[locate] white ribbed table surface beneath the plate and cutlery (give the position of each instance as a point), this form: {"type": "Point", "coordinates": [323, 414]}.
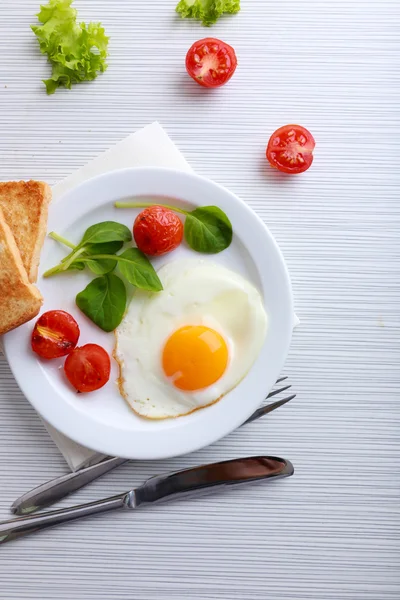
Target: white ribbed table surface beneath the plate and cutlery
{"type": "Point", "coordinates": [331, 532]}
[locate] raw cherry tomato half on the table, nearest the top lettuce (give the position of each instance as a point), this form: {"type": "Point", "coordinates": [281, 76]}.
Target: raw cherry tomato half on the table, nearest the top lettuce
{"type": "Point", "coordinates": [211, 62]}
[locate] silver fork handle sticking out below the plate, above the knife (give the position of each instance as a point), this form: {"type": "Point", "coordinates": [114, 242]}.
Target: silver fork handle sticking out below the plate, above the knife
{"type": "Point", "coordinates": [60, 487]}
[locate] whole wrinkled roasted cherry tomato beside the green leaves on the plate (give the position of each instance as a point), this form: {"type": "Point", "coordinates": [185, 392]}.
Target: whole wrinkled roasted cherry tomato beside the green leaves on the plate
{"type": "Point", "coordinates": [157, 230]}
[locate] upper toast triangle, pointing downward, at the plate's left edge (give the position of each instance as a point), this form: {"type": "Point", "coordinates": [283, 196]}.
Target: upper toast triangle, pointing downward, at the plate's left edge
{"type": "Point", "coordinates": [25, 208]}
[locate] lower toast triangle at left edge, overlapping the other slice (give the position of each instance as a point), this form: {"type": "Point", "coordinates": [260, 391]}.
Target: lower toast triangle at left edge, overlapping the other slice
{"type": "Point", "coordinates": [20, 301]}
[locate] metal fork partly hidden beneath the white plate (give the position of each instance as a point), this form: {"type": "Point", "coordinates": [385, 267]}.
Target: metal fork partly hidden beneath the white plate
{"type": "Point", "coordinates": [50, 492]}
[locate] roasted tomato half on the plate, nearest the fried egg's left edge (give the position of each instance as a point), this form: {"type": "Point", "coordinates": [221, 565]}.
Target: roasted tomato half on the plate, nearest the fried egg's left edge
{"type": "Point", "coordinates": [88, 368]}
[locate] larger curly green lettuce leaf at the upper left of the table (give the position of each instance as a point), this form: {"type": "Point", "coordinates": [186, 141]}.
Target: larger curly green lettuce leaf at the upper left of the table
{"type": "Point", "coordinates": [76, 51]}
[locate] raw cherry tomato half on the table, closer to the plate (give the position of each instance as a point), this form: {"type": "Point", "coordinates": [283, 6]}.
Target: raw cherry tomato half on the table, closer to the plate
{"type": "Point", "coordinates": [290, 149]}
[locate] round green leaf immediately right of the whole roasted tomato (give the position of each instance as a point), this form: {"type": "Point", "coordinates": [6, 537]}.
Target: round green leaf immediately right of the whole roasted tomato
{"type": "Point", "coordinates": [208, 230]}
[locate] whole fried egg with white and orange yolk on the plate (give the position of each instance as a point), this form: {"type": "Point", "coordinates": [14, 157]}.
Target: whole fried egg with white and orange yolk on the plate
{"type": "Point", "coordinates": [184, 348]}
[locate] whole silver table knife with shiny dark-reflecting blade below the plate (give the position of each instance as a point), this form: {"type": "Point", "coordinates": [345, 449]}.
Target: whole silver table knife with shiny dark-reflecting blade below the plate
{"type": "Point", "coordinates": [160, 488]}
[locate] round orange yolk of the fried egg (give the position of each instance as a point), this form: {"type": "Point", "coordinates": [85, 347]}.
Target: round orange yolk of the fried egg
{"type": "Point", "coordinates": [195, 357]}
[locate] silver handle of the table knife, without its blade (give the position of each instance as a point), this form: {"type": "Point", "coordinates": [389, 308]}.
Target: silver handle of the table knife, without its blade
{"type": "Point", "coordinates": [10, 530]}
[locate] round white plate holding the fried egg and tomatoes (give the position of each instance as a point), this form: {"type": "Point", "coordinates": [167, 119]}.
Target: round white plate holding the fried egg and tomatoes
{"type": "Point", "coordinates": [102, 420]}
